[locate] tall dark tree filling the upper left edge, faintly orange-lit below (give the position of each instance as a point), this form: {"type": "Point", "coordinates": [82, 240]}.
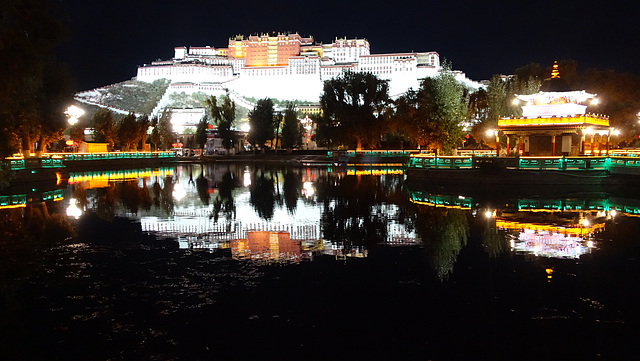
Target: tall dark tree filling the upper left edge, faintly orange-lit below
{"type": "Point", "coordinates": [35, 89]}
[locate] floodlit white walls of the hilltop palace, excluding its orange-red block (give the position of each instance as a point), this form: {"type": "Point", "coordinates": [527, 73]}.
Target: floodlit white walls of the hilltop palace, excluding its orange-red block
{"type": "Point", "coordinates": [301, 79]}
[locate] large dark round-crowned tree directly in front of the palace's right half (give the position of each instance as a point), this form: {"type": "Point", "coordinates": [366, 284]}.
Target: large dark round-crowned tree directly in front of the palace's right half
{"type": "Point", "coordinates": [353, 107]}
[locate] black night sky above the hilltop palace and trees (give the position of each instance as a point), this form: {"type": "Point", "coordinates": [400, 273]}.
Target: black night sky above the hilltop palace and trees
{"type": "Point", "coordinates": [109, 39]}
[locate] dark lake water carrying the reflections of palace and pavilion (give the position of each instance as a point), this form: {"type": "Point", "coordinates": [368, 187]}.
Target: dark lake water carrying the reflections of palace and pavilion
{"type": "Point", "coordinates": [235, 262]}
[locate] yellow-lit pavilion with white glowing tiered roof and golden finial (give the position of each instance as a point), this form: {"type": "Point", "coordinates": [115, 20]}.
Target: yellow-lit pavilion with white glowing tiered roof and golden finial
{"type": "Point", "coordinates": [555, 122]}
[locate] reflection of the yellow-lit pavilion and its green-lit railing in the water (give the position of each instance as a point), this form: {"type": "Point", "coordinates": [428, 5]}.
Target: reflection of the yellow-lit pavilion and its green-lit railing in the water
{"type": "Point", "coordinates": [554, 227]}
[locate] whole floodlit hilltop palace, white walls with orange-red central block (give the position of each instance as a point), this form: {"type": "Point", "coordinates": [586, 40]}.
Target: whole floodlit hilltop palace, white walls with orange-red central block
{"type": "Point", "coordinates": [288, 66]}
